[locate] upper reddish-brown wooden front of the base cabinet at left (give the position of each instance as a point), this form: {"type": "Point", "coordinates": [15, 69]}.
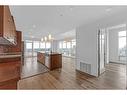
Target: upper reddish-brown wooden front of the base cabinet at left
{"type": "Point", "coordinates": [9, 71]}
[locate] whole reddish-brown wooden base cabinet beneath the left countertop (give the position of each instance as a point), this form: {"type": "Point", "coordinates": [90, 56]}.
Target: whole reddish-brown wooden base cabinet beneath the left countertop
{"type": "Point", "coordinates": [9, 75]}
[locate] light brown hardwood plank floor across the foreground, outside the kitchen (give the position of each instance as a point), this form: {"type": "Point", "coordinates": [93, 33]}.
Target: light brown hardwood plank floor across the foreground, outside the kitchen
{"type": "Point", "coordinates": [67, 78]}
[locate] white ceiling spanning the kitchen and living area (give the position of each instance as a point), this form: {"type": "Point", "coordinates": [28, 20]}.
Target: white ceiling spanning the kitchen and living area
{"type": "Point", "coordinates": [39, 21]}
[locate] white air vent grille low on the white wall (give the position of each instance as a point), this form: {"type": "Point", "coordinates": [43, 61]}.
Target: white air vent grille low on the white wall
{"type": "Point", "coordinates": [85, 67]}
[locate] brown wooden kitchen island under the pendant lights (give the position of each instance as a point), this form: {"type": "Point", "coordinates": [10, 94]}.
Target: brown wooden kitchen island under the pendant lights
{"type": "Point", "coordinates": [51, 60]}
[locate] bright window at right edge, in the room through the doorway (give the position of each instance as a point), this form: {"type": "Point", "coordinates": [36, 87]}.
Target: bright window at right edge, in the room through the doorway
{"type": "Point", "coordinates": [122, 45]}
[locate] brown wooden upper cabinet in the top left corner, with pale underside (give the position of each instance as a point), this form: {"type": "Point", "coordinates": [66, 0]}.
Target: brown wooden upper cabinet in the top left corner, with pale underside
{"type": "Point", "coordinates": [7, 27]}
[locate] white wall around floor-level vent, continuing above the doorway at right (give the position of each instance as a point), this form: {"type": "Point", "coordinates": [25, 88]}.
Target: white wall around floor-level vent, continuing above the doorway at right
{"type": "Point", "coordinates": [86, 37]}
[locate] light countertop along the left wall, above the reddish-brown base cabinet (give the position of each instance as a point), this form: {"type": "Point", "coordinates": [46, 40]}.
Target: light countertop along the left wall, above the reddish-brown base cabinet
{"type": "Point", "coordinates": [10, 55]}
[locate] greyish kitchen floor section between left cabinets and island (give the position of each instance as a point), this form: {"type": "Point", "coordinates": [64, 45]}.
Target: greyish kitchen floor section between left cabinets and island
{"type": "Point", "coordinates": [31, 67]}
